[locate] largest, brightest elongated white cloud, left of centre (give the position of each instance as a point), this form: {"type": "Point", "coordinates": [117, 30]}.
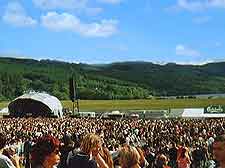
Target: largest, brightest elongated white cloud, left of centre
{"type": "Point", "coordinates": [68, 22]}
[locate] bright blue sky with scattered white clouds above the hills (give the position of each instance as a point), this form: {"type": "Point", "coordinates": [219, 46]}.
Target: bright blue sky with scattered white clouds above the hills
{"type": "Point", "coordinates": [105, 31]}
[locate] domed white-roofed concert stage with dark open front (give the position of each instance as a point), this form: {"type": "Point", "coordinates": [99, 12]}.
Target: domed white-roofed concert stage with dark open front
{"type": "Point", "coordinates": [35, 104]}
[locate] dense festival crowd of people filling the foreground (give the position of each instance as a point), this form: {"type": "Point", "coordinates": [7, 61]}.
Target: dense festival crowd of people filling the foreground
{"type": "Point", "coordinates": [82, 142]}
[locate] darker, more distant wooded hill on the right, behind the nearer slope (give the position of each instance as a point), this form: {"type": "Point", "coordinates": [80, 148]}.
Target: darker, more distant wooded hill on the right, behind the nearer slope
{"type": "Point", "coordinates": [171, 79]}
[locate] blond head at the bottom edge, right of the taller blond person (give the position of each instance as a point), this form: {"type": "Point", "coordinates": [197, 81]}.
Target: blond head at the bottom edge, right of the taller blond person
{"type": "Point", "coordinates": [129, 157]}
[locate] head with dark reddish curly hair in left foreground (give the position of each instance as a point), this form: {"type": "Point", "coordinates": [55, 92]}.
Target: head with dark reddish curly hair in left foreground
{"type": "Point", "coordinates": [46, 150]}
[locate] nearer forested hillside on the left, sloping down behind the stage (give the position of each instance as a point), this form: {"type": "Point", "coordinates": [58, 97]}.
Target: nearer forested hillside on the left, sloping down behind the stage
{"type": "Point", "coordinates": [20, 75]}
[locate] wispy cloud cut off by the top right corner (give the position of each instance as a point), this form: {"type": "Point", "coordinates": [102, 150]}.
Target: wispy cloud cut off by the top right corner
{"type": "Point", "coordinates": [198, 5]}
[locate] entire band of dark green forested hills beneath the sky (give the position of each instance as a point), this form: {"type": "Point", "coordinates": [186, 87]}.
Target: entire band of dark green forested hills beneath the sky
{"type": "Point", "coordinates": [127, 80]}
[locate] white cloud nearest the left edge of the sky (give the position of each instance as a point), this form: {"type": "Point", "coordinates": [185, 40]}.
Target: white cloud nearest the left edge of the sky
{"type": "Point", "coordinates": [16, 15]}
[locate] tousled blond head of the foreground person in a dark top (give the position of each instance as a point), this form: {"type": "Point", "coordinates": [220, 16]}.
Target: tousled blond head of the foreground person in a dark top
{"type": "Point", "coordinates": [91, 144]}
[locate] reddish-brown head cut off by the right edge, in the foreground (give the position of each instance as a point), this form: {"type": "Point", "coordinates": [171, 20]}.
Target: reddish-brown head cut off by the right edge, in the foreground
{"type": "Point", "coordinates": [219, 148]}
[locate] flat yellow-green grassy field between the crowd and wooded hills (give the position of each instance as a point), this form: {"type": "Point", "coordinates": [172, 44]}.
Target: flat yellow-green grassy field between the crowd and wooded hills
{"type": "Point", "coordinates": [107, 105]}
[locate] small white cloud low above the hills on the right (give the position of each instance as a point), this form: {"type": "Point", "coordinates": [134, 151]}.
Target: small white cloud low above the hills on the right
{"type": "Point", "coordinates": [186, 51]}
